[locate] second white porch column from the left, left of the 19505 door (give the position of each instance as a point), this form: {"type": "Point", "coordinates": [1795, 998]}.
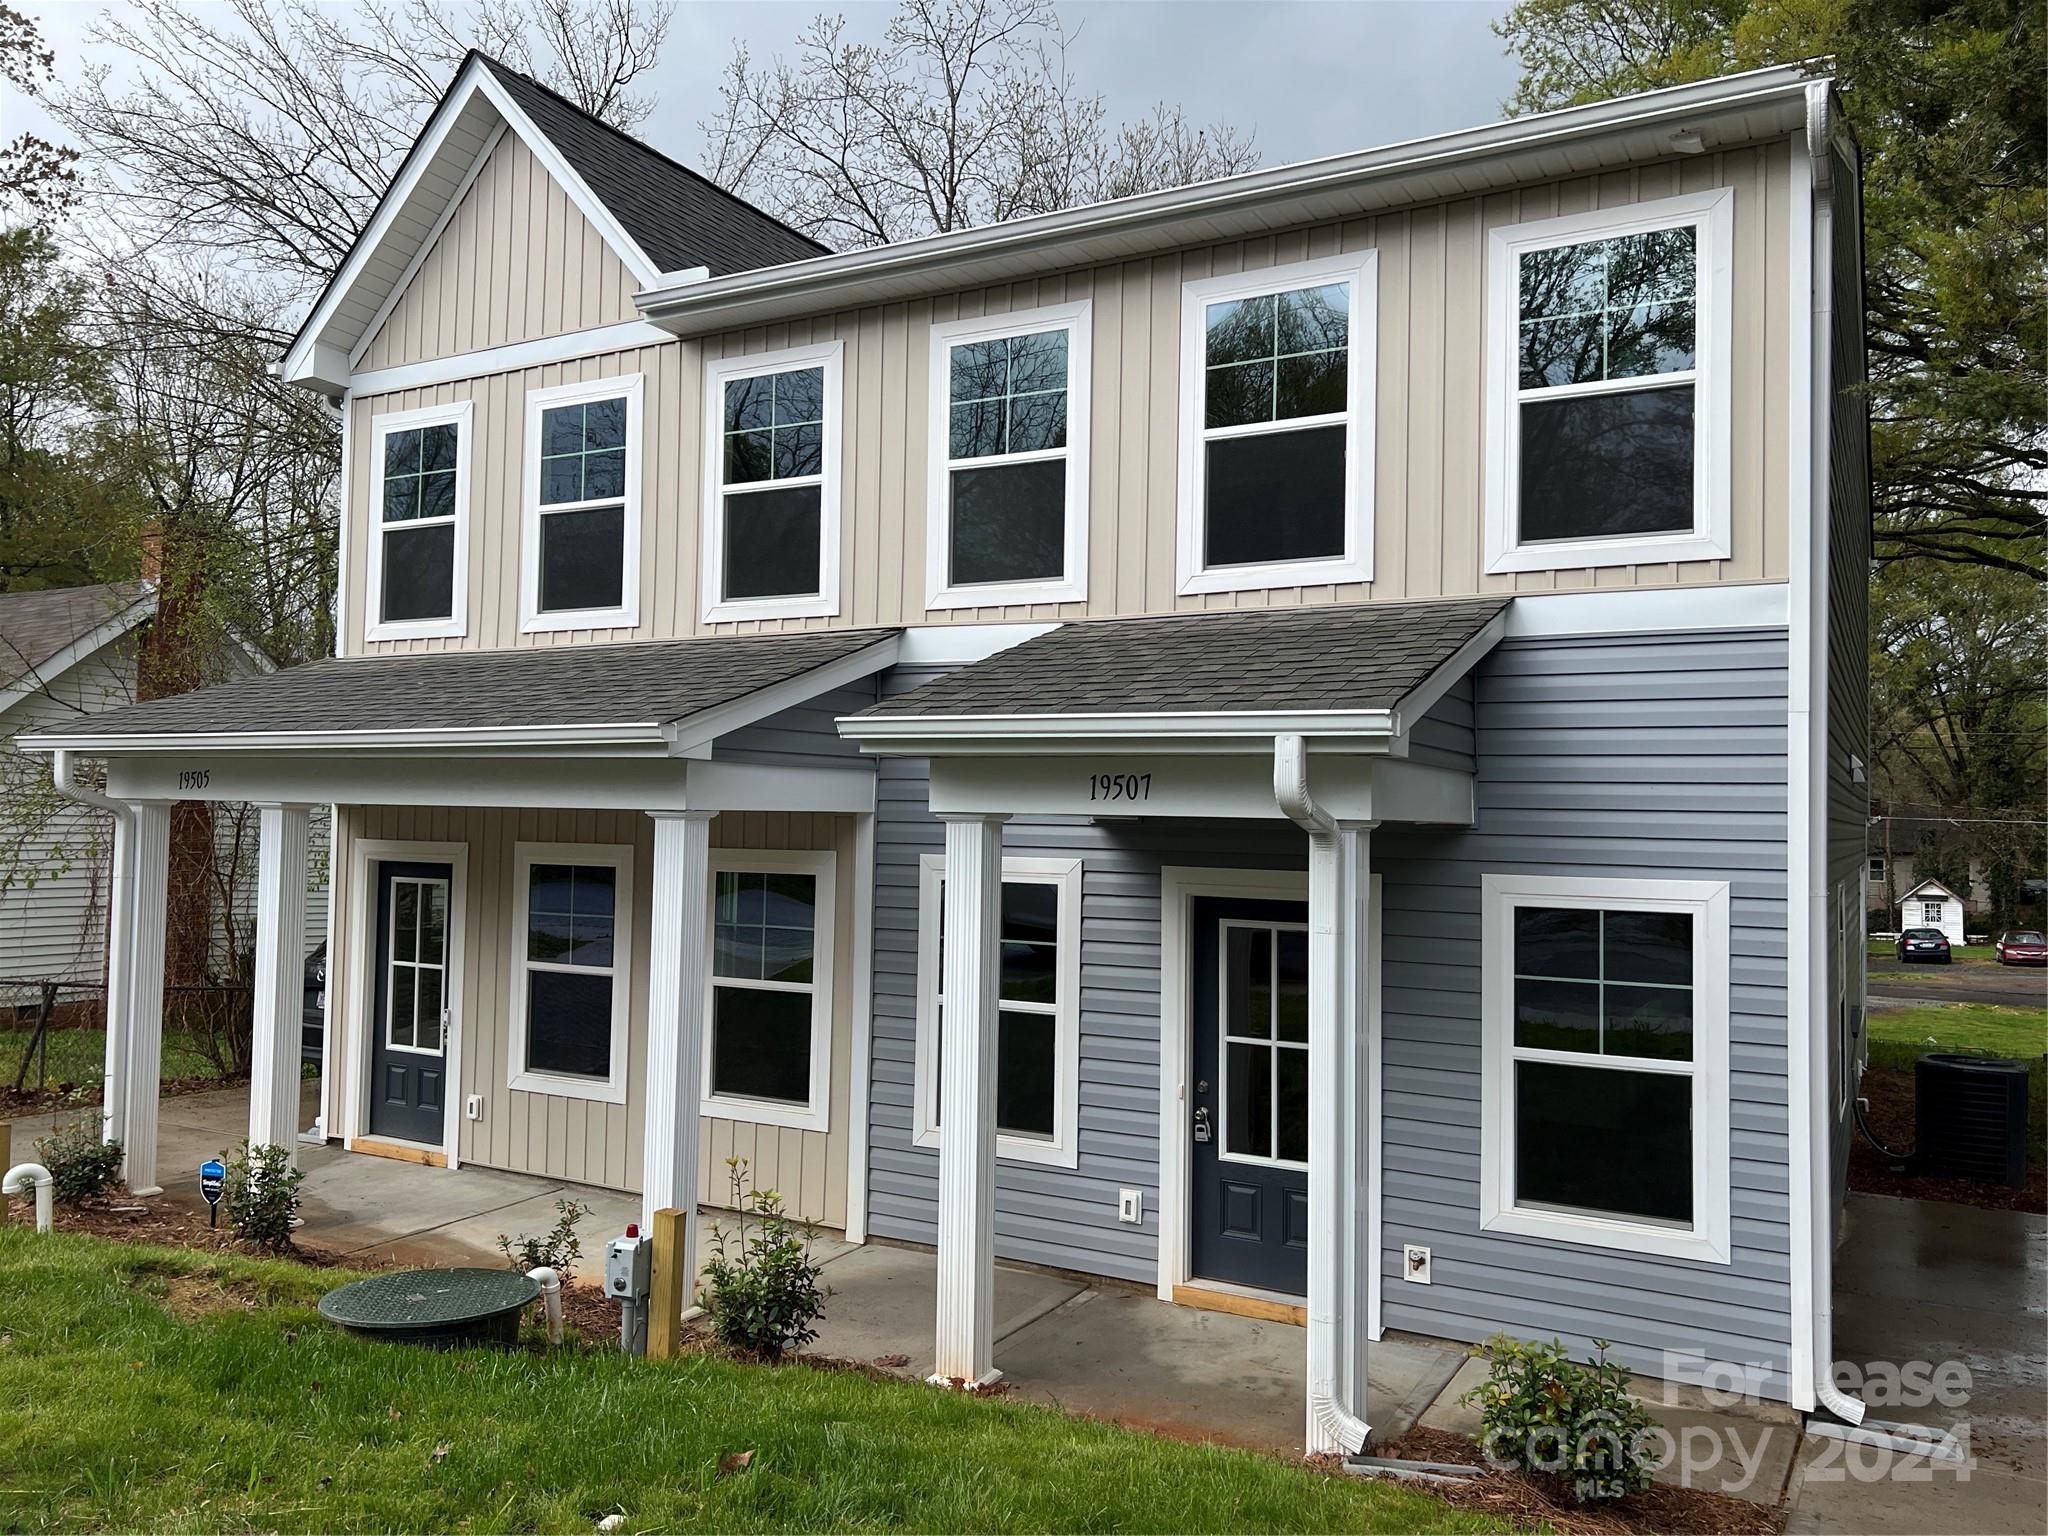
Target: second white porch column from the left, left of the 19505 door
{"type": "Point", "coordinates": [280, 976]}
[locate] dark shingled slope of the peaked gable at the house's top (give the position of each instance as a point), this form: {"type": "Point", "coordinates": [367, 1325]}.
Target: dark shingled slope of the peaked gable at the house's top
{"type": "Point", "coordinates": [679, 218]}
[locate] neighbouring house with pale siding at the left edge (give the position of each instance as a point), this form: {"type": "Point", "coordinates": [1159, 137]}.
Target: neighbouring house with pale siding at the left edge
{"type": "Point", "coordinates": [71, 654]}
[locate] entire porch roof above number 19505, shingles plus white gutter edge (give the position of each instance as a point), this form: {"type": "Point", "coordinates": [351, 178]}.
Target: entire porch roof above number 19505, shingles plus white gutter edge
{"type": "Point", "coordinates": [669, 697]}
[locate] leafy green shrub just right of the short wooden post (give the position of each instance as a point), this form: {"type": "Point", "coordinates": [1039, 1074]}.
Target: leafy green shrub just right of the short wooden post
{"type": "Point", "coordinates": [763, 1289]}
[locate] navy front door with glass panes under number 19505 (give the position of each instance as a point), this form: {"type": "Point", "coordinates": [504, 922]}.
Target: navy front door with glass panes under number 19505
{"type": "Point", "coordinates": [411, 1021]}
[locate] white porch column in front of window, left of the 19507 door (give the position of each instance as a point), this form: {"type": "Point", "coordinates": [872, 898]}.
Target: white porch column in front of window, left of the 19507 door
{"type": "Point", "coordinates": [968, 1101]}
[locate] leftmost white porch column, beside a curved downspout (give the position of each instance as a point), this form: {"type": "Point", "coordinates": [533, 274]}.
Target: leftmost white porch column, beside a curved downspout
{"type": "Point", "coordinates": [136, 914]}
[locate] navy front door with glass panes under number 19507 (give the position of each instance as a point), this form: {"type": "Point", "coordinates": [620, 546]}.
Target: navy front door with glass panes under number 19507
{"type": "Point", "coordinates": [1250, 1105]}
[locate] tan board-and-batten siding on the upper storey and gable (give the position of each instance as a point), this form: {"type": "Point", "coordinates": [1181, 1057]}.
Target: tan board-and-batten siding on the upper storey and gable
{"type": "Point", "coordinates": [1428, 454]}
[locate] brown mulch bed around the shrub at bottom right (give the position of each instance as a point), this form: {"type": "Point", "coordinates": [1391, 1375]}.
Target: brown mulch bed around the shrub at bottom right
{"type": "Point", "coordinates": [1541, 1498]}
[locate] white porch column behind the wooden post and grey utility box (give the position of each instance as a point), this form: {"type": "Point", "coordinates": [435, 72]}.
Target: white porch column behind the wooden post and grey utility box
{"type": "Point", "coordinates": [679, 986]}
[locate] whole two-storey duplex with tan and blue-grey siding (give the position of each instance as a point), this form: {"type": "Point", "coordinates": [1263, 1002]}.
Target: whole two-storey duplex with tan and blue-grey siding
{"type": "Point", "coordinates": [1209, 740]}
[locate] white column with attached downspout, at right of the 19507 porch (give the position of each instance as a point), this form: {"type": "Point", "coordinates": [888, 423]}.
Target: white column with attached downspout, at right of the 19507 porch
{"type": "Point", "coordinates": [1336, 1338]}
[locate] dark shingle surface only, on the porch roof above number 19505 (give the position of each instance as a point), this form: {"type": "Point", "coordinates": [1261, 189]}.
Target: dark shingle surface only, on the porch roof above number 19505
{"type": "Point", "coordinates": [644, 683]}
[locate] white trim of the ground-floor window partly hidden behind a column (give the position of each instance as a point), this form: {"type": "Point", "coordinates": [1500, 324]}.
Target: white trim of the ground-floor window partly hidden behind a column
{"type": "Point", "coordinates": [1064, 1150]}
